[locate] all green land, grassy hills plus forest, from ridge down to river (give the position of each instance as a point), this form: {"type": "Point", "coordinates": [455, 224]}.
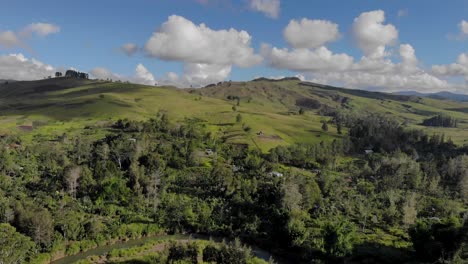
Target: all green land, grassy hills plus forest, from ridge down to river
{"type": "Point", "coordinates": [315, 180]}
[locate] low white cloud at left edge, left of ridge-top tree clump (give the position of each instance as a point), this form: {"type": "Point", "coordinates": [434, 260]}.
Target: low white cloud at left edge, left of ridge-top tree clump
{"type": "Point", "coordinates": [18, 67]}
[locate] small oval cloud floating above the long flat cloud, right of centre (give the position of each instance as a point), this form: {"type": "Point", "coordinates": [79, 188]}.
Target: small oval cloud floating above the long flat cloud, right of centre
{"type": "Point", "coordinates": [310, 33]}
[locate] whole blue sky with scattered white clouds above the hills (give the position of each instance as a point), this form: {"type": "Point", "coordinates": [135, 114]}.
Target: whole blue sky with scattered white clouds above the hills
{"type": "Point", "coordinates": [384, 45]}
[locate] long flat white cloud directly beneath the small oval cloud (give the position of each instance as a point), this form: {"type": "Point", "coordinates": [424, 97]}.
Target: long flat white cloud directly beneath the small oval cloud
{"type": "Point", "coordinates": [320, 59]}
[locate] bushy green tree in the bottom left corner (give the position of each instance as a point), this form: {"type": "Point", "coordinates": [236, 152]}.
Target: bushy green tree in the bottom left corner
{"type": "Point", "coordinates": [14, 247]}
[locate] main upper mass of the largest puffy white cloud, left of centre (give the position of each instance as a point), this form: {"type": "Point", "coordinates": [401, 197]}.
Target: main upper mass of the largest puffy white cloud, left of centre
{"type": "Point", "coordinates": [179, 39]}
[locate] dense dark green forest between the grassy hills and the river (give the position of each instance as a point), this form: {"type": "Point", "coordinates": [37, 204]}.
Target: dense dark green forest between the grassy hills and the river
{"type": "Point", "coordinates": [382, 193]}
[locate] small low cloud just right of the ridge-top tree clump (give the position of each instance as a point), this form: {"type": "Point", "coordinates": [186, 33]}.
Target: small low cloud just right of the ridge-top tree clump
{"type": "Point", "coordinates": [141, 76]}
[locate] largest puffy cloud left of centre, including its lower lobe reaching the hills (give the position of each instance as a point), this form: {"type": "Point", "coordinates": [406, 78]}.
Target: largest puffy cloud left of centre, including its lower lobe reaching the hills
{"type": "Point", "coordinates": [208, 55]}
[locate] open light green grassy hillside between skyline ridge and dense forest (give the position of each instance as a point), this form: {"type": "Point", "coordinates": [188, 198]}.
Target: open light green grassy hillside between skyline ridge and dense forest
{"type": "Point", "coordinates": [57, 106]}
